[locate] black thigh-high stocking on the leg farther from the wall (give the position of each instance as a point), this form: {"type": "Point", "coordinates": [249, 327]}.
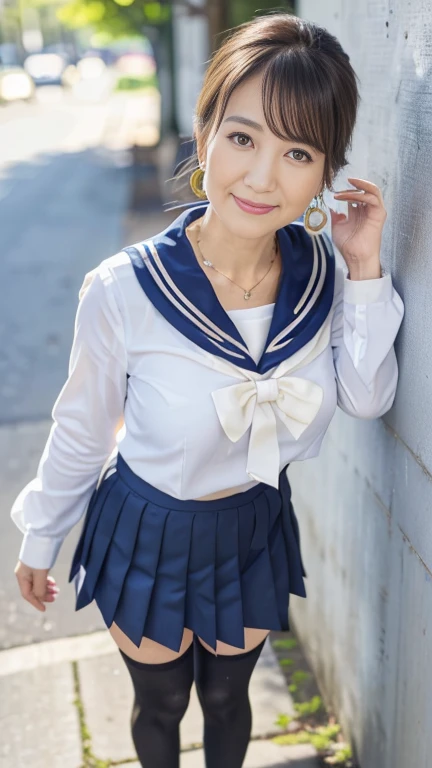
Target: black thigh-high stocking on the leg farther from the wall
{"type": "Point", "coordinates": [161, 698]}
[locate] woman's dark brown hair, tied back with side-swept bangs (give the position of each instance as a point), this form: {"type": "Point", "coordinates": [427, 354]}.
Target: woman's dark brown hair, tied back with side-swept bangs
{"type": "Point", "coordinates": [309, 90]}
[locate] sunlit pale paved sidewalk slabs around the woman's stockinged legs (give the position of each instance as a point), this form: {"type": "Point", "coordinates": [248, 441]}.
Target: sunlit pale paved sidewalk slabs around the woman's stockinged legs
{"type": "Point", "coordinates": [66, 704]}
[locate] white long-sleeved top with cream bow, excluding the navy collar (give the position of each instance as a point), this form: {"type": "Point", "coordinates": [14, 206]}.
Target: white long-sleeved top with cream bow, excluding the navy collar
{"type": "Point", "coordinates": [196, 424]}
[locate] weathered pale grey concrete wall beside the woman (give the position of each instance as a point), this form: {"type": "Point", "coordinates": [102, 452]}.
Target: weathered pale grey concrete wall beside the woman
{"type": "Point", "coordinates": [365, 505]}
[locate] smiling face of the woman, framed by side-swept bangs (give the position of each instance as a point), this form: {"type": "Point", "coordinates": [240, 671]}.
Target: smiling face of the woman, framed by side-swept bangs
{"type": "Point", "coordinates": [246, 160]}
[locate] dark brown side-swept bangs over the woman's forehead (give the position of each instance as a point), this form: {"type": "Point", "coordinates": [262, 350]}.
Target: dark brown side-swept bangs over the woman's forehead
{"type": "Point", "coordinates": [298, 101]}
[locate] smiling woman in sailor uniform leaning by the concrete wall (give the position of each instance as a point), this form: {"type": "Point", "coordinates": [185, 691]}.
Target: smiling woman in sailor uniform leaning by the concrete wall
{"type": "Point", "coordinates": [226, 341]}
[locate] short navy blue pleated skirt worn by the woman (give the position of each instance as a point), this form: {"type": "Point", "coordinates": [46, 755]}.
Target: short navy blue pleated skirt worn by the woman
{"type": "Point", "coordinates": [155, 564]}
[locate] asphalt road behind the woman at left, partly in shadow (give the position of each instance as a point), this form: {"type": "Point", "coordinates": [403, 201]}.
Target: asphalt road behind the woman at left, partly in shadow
{"type": "Point", "coordinates": [64, 192]}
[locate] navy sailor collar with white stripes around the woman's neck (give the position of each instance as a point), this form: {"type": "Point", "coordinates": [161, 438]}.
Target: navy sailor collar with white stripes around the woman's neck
{"type": "Point", "coordinates": [167, 270]}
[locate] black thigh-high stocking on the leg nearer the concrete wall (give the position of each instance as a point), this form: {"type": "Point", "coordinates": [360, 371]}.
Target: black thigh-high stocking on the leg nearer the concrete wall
{"type": "Point", "coordinates": [222, 684]}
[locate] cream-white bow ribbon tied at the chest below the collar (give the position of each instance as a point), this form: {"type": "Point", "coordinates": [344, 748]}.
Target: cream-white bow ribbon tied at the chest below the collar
{"type": "Point", "coordinates": [255, 403]}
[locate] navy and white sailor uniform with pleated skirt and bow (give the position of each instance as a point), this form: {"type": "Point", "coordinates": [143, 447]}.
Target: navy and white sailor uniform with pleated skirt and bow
{"type": "Point", "coordinates": [211, 400]}
